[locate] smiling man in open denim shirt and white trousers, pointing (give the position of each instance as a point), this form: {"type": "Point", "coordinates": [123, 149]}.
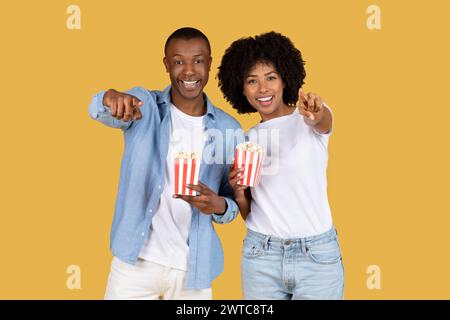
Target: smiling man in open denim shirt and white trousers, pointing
{"type": "Point", "coordinates": [165, 246]}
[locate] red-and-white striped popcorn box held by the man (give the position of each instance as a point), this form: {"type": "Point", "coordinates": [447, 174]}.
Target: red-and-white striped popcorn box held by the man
{"type": "Point", "coordinates": [187, 169]}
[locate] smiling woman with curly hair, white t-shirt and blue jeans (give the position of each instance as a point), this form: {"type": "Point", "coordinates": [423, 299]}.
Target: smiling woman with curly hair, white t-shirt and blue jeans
{"type": "Point", "coordinates": [291, 249]}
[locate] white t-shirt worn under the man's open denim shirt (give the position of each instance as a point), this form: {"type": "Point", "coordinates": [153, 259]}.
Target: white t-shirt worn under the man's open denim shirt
{"type": "Point", "coordinates": [167, 243]}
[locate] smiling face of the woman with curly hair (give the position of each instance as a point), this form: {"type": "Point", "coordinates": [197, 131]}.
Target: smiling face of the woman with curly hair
{"type": "Point", "coordinates": [263, 88]}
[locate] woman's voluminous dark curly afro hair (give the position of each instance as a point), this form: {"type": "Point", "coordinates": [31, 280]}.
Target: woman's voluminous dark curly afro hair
{"type": "Point", "coordinates": [243, 54]}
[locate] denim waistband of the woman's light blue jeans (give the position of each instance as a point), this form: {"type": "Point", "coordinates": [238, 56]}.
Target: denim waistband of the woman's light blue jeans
{"type": "Point", "coordinates": [275, 241]}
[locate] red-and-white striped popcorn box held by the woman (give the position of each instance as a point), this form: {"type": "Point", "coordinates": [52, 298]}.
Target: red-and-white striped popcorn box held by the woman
{"type": "Point", "coordinates": [249, 156]}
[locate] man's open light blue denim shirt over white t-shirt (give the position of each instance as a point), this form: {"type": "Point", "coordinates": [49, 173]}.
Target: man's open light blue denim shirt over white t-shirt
{"type": "Point", "coordinates": [142, 180]}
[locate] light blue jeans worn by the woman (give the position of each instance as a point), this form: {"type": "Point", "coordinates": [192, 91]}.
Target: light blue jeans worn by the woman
{"type": "Point", "coordinates": [291, 269]}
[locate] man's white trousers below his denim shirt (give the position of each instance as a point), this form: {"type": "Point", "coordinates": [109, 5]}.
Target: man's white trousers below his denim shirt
{"type": "Point", "coordinates": [149, 281]}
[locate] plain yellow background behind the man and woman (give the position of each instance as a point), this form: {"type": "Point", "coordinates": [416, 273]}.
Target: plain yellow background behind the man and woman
{"type": "Point", "coordinates": [388, 168]}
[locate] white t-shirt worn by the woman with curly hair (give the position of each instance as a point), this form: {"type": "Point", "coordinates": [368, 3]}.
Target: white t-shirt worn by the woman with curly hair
{"type": "Point", "coordinates": [291, 199]}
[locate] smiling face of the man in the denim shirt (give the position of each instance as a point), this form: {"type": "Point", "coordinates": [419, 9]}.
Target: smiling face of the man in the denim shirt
{"type": "Point", "coordinates": [188, 63]}
